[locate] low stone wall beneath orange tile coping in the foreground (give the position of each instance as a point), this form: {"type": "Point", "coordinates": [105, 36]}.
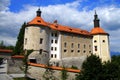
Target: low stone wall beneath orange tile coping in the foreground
{"type": "Point", "coordinates": [38, 73]}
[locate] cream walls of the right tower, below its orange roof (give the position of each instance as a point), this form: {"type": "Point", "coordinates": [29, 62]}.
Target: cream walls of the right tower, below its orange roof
{"type": "Point", "coordinates": [102, 43]}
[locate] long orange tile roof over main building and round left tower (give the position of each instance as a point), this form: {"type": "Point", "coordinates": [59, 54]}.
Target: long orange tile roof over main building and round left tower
{"type": "Point", "coordinates": [39, 21]}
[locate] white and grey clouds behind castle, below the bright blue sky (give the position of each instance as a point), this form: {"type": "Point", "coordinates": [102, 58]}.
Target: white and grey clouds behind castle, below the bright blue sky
{"type": "Point", "coordinates": [66, 14]}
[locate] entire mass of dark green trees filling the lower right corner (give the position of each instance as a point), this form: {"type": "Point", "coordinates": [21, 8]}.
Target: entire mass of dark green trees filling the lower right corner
{"type": "Point", "coordinates": [94, 69]}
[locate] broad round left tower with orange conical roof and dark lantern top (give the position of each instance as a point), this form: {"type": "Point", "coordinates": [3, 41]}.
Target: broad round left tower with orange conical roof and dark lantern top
{"type": "Point", "coordinates": [36, 37]}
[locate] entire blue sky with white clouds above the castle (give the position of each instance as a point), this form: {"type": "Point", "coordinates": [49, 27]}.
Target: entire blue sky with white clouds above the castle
{"type": "Point", "coordinates": [75, 13]}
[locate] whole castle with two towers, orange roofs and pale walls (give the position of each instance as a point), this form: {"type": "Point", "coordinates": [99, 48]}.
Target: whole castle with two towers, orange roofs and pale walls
{"type": "Point", "coordinates": [54, 42]}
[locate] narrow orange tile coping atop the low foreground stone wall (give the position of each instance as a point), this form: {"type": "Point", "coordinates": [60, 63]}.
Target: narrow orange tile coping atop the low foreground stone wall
{"type": "Point", "coordinates": [54, 67]}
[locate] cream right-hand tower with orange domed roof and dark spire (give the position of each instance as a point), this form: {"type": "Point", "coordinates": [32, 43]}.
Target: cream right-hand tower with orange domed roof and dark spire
{"type": "Point", "coordinates": [100, 41]}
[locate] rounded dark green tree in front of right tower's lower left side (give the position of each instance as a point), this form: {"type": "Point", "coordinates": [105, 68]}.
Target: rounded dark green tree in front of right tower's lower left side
{"type": "Point", "coordinates": [91, 69]}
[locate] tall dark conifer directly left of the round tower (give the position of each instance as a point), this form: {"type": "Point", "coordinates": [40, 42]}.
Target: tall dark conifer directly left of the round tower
{"type": "Point", "coordinates": [20, 41]}
